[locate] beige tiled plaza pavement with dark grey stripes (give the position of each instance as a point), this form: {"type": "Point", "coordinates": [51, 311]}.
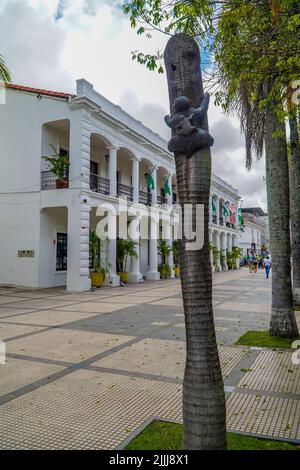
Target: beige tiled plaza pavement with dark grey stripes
{"type": "Point", "coordinates": [85, 370]}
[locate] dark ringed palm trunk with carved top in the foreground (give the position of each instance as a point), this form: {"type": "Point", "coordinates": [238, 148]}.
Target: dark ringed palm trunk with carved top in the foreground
{"type": "Point", "coordinates": [204, 415]}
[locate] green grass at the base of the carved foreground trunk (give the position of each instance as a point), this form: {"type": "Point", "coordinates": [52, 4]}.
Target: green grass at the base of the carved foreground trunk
{"type": "Point", "coordinates": [160, 435]}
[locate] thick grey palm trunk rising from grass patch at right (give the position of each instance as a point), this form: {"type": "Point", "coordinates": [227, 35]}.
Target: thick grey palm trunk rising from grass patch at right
{"type": "Point", "coordinates": [283, 321]}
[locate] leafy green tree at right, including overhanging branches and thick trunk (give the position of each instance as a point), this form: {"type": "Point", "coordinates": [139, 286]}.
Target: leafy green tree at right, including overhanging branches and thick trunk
{"type": "Point", "coordinates": [257, 58]}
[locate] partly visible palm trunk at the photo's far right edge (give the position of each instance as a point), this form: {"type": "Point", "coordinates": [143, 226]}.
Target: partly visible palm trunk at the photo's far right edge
{"type": "Point", "coordinates": [295, 205]}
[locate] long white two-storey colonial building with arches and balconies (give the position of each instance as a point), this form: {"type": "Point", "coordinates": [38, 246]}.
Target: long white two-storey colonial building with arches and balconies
{"type": "Point", "coordinates": [44, 236]}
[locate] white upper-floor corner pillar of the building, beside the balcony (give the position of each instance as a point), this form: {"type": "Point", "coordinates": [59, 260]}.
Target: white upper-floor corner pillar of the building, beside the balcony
{"type": "Point", "coordinates": [80, 135]}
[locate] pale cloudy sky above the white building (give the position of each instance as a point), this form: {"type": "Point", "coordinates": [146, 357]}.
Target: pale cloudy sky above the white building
{"type": "Point", "coordinates": [51, 43]}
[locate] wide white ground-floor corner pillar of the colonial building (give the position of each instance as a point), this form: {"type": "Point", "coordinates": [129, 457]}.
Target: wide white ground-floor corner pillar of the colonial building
{"type": "Point", "coordinates": [78, 279]}
